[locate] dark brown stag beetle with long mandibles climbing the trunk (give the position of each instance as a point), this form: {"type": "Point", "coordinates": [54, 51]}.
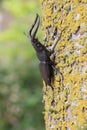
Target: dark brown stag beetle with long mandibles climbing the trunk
{"type": "Point", "coordinates": [46, 64]}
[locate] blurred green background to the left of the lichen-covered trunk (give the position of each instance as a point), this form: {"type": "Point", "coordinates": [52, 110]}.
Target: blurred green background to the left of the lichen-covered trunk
{"type": "Point", "coordinates": [21, 105]}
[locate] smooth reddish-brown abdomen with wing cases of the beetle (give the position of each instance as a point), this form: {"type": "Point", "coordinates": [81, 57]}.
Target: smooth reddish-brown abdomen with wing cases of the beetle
{"type": "Point", "coordinates": [46, 72]}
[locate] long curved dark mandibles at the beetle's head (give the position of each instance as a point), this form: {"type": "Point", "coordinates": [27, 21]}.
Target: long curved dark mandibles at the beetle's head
{"type": "Point", "coordinates": [32, 36]}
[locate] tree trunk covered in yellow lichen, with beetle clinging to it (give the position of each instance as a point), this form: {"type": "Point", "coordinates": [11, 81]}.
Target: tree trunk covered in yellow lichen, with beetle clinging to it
{"type": "Point", "coordinates": [65, 21]}
